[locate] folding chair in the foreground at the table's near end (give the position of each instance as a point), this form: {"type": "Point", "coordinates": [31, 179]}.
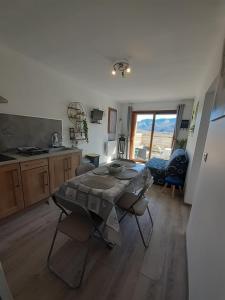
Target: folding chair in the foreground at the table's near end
{"type": "Point", "coordinates": [79, 226]}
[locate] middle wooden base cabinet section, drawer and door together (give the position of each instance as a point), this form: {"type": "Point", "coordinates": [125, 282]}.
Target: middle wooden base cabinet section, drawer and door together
{"type": "Point", "coordinates": [35, 179]}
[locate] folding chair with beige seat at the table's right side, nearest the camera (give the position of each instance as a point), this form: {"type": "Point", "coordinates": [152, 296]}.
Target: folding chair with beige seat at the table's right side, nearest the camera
{"type": "Point", "coordinates": [136, 204]}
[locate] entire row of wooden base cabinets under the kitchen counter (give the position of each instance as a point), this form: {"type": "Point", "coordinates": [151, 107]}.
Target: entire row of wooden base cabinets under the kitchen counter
{"type": "Point", "coordinates": [23, 184]}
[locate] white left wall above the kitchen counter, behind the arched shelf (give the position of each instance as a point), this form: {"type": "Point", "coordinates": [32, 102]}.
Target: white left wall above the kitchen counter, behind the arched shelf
{"type": "Point", "coordinates": [33, 89]}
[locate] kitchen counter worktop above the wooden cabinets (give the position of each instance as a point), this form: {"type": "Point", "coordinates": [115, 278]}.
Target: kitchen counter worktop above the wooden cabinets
{"type": "Point", "coordinates": [17, 158]}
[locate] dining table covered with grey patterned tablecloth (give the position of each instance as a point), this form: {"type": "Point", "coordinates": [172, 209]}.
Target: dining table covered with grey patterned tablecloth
{"type": "Point", "coordinates": [99, 190]}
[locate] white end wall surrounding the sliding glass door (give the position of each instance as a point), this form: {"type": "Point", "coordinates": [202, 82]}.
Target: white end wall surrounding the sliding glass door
{"type": "Point", "coordinates": [159, 105]}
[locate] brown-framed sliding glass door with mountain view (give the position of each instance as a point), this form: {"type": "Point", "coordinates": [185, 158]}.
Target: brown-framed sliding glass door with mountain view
{"type": "Point", "coordinates": [152, 135]}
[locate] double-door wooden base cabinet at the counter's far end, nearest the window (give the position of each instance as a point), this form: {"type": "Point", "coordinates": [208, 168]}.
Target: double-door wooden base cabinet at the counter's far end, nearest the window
{"type": "Point", "coordinates": [62, 168]}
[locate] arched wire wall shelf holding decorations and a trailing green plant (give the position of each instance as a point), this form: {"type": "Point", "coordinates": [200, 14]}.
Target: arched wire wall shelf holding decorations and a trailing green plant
{"type": "Point", "coordinates": [76, 114]}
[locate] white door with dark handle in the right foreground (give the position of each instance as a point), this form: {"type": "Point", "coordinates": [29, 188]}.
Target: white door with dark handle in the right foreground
{"type": "Point", "coordinates": [206, 229]}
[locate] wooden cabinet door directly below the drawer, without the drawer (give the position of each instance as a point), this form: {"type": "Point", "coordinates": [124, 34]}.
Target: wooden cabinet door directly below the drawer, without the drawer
{"type": "Point", "coordinates": [35, 185]}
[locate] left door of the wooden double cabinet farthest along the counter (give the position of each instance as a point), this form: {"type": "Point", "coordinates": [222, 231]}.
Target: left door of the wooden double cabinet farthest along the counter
{"type": "Point", "coordinates": [58, 168]}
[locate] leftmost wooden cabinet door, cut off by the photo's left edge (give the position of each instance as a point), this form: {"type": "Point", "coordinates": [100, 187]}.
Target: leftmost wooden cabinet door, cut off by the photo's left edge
{"type": "Point", "coordinates": [11, 199]}
